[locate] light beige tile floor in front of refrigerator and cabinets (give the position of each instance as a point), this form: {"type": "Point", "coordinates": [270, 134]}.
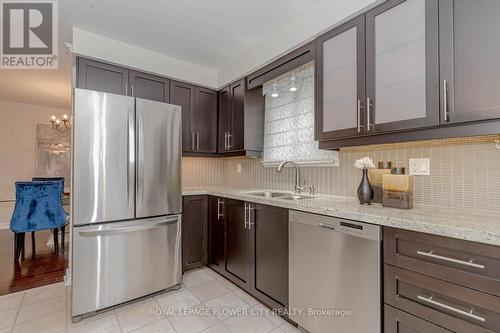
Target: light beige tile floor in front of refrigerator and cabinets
{"type": "Point", "coordinates": [208, 302]}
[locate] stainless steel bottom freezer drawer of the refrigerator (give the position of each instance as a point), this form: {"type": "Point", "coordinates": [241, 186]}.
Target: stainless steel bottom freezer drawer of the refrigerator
{"type": "Point", "coordinates": [117, 262]}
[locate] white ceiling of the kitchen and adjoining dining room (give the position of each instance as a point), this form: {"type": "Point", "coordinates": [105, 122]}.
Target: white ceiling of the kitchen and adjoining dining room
{"type": "Point", "coordinates": [206, 33]}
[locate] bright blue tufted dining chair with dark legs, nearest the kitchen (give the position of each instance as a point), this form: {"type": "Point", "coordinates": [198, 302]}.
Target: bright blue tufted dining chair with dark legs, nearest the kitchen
{"type": "Point", "coordinates": [38, 207]}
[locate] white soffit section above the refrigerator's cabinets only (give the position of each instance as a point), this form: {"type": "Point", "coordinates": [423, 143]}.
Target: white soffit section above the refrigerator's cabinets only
{"type": "Point", "coordinates": [96, 46]}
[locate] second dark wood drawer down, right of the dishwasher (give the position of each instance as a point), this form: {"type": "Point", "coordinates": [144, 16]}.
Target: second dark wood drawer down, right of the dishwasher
{"type": "Point", "coordinates": [454, 307]}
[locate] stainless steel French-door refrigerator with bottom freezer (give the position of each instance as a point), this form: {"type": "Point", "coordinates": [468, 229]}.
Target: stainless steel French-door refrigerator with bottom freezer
{"type": "Point", "coordinates": [126, 199]}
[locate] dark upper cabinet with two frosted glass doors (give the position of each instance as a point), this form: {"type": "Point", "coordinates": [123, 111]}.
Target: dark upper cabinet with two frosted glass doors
{"type": "Point", "coordinates": [379, 72]}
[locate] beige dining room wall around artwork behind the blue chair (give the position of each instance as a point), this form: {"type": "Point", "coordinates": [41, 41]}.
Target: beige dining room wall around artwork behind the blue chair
{"type": "Point", "coordinates": [18, 142]}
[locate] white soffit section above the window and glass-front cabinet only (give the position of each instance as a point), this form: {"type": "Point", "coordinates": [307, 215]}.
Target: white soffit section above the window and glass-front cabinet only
{"type": "Point", "coordinates": [297, 32]}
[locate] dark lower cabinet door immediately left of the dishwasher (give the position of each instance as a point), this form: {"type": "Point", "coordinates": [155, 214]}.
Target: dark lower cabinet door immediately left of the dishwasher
{"type": "Point", "coordinates": [269, 232]}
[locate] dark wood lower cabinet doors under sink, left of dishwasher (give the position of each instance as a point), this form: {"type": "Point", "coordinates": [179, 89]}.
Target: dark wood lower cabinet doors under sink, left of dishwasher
{"type": "Point", "coordinates": [248, 244]}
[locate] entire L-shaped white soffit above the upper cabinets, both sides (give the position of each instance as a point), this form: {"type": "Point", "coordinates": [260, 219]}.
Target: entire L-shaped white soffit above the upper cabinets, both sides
{"type": "Point", "coordinates": [297, 32]}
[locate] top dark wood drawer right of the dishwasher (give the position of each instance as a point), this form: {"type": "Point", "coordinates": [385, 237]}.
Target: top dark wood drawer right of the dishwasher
{"type": "Point", "coordinates": [469, 264]}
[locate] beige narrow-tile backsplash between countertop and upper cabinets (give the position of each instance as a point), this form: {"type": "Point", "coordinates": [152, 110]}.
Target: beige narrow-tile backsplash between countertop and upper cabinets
{"type": "Point", "coordinates": [465, 173]}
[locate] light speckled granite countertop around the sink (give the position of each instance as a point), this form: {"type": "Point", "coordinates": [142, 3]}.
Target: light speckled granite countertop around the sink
{"type": "Point", "coordinates": [479, 226]}
